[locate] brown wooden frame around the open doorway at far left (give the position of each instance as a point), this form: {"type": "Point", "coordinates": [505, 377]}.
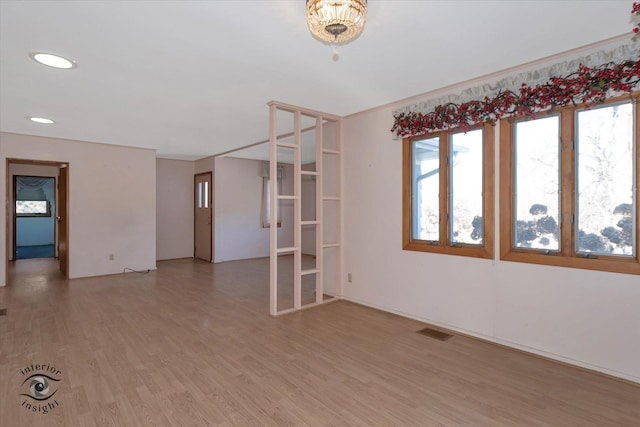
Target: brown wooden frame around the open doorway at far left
{"type": "Point", "coordinates": [10, 209]}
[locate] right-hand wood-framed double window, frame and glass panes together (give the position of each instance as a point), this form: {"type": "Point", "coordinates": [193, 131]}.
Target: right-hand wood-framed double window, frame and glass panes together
{"type": "Point", "coordinates": [568, 193]}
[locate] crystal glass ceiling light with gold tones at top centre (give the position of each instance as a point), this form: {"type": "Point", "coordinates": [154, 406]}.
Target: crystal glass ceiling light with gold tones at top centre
{"type": "Point", "coordinates": [334, 21]}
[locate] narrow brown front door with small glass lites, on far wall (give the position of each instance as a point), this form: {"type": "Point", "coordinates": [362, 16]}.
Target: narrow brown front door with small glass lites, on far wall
{"type": "Point", "coordinates": [203, 216]}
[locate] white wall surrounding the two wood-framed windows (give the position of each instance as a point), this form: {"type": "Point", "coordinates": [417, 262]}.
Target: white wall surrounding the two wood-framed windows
{"type": "Point", "coordinates": [587, 318]}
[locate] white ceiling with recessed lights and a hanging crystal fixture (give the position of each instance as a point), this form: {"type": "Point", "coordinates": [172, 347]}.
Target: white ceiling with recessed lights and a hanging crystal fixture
{"type": "Point", "coordinates": [192, 78]}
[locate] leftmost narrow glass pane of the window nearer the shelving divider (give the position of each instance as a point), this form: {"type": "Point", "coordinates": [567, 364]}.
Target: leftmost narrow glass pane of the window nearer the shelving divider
{"type": "Point", "coordinates": [426, 189]}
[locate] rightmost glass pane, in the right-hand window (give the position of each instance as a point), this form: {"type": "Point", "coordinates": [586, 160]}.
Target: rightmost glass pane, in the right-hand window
{"type": "Point", "coordinates": [605, 215]}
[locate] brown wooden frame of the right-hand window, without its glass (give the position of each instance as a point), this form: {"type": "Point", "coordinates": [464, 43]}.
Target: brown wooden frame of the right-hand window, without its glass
{"type": "Point", "coordinates": [567, 256]}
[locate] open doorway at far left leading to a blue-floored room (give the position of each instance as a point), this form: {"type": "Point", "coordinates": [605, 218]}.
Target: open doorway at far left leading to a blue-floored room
{"type": "Point", "coordinates": [33, 205]}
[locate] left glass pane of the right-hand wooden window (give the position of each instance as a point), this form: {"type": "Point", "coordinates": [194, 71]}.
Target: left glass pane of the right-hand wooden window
{"type": "Point", "coordinates": [536, 186]}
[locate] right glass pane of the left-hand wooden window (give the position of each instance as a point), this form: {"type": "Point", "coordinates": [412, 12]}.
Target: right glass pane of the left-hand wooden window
{"type": "Point", "coordinates": [466, 159]}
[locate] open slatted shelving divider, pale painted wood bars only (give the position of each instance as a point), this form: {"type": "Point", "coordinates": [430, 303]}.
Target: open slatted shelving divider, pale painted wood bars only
{"type": "Point", "coordinates": [321, 119]}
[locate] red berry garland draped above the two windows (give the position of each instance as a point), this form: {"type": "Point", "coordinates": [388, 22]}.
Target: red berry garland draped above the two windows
{"type": "Point", "coordinates": [587, 85]}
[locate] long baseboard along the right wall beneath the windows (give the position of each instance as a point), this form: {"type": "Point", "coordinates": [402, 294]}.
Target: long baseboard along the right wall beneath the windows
{"type": "Point", "coordinates": [594, 369]}
